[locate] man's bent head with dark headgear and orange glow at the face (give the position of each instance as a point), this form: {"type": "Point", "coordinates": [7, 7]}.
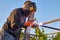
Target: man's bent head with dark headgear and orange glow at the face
{"type": "Point", "coordinates": [30, 6]}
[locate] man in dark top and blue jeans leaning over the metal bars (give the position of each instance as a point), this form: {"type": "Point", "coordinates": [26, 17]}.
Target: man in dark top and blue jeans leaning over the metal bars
{"type": "Point", "coordinates": [16, 20]}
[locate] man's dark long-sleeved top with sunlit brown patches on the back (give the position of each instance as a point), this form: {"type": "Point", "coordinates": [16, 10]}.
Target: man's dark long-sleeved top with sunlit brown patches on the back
{"type": "Point", "coordinates": [15, 21]}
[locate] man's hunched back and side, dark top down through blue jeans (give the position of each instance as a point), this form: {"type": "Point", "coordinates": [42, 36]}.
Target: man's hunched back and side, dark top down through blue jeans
{"type": "Point", "coordinates": [13, 24]}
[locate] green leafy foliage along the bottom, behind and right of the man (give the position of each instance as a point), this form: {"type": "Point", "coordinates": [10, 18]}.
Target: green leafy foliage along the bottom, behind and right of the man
{"type": "Point", "coordinates": [39, 35]}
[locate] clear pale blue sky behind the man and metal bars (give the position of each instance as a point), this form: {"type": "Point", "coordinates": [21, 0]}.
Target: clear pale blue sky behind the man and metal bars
{"type": "Point", "coordinates": [46, 10]}
